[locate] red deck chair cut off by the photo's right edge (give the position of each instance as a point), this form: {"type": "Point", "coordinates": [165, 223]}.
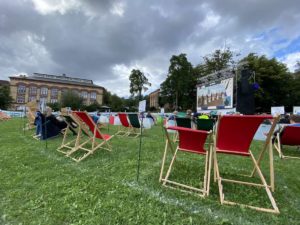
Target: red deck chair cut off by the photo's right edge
{"type": "Point", "coordinates": [289, 135]}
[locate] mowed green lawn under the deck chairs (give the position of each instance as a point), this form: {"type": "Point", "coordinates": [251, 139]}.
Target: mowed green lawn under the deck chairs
{"type": "Point", "coordinates": [39, 185]}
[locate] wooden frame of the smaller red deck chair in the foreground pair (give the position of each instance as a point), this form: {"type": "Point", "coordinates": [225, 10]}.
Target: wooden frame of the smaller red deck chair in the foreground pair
{"type": "Point", "coordinates": [204, 191]}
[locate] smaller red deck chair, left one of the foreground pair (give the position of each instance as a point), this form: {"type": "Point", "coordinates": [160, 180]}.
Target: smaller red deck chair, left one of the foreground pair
{"type": "Point", "coordinates": [190, 141]}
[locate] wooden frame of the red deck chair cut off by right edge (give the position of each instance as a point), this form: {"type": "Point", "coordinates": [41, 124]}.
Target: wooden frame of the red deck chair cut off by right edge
{"type": "Point", "coordinates": [278, 142]}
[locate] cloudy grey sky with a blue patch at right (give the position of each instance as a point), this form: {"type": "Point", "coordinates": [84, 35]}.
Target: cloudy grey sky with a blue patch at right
{"type": "Point", "coordinates": [104, 40]}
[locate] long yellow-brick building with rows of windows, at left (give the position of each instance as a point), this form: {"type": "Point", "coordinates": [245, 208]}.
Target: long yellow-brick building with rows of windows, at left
{"type": "Point", "coordinates": [49, 88]}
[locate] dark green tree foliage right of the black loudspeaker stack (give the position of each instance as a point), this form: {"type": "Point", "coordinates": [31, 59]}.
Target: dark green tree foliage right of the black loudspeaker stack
{"type": "Point", "coordinates": [276, 83]}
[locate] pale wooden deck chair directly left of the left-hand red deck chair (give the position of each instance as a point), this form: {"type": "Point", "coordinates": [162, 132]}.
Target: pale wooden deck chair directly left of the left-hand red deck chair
{"type": "Point", "coordinates": [74, 127]}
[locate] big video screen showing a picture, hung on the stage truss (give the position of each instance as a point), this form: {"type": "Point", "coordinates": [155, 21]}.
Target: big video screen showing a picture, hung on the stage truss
{"type": "Point", "coordinates": [216, 95]}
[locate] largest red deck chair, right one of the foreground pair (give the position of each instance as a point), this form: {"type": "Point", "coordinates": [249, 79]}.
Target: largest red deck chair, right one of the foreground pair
{"type": "Point", "coordinates": [234, 135]}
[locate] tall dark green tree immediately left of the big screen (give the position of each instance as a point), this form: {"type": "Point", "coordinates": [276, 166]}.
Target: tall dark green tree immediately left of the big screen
{"type": "Point", "coordinates": [179, 86]}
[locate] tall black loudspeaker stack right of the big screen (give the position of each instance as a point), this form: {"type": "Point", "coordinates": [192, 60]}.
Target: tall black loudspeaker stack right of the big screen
{"type": "Point", "coordinates": [245, 94]}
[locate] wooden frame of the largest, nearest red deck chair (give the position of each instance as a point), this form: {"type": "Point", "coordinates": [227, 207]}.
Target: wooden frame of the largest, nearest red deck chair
{"type": "Point", "coordinates": [219, 179]}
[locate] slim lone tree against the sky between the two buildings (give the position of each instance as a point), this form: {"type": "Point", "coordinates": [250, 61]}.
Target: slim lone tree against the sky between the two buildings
{"type": "Point", "coordinates": [138, 82]}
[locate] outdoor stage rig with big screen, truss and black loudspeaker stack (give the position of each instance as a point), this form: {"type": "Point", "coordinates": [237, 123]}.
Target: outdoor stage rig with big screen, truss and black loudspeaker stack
{"type": "Point", "coordinates": [227, 90]}
